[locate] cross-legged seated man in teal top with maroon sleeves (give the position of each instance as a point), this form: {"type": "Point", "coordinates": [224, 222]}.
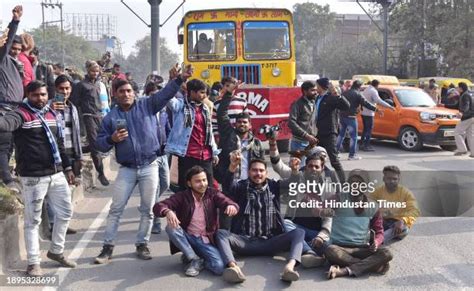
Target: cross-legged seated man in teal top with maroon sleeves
{"type": "Point", "coordinates": [357, 236]}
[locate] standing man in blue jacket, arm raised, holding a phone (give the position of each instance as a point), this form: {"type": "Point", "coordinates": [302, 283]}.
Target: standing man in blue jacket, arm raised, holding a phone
{"type": "Point", "coordinates": [131, 127]}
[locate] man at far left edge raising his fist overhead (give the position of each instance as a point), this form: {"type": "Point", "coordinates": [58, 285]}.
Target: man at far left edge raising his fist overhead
{"type": "Point", "coordinates": [11, 94]}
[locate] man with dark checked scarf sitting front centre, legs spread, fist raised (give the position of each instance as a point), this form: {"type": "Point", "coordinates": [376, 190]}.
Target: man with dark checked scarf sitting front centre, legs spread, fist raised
{"type": "Point", "coordinates": [258, 228]}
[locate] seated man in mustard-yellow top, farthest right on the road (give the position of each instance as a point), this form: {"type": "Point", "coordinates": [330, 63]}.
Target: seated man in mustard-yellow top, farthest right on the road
{"type": "Point", "coordinates": [396, 221]}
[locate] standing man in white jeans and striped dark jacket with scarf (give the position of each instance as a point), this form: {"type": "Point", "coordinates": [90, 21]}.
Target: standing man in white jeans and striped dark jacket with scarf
{"type": "Point", "coordinates": [44, 169]}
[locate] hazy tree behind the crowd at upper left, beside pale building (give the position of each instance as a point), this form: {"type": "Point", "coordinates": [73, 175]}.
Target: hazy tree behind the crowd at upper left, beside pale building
{"type": "Point", "coordinates": [77, 50]}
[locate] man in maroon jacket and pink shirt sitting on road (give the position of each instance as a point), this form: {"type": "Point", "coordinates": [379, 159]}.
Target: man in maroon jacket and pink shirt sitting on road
{"type": "Point", "coordinates": [192, 217]}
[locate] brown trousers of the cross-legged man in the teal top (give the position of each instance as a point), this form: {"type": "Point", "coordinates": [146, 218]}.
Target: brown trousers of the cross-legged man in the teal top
{"type": "Point", "coordinates": [359, 260]}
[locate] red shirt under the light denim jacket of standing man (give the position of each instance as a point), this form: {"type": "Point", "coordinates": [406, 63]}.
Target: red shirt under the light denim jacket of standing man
{"type": "Point", "coordinates": [197, 147]}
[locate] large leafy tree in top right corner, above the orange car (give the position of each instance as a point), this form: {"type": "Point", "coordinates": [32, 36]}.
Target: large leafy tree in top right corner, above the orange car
{"type": "Point", "coordinates": [439, 32]}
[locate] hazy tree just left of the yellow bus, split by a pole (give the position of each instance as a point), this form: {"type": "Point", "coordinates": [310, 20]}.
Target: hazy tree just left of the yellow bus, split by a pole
{"type": "Point", "coordinates": [138, 62]}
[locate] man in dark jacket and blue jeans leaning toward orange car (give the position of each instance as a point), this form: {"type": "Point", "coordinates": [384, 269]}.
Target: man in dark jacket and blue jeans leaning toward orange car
{"type": "Point", "coordinates": [349, 118]}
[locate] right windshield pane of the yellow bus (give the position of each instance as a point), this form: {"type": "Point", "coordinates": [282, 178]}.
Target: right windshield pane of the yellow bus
{"type": "Point", "coordinates": [265, 40]}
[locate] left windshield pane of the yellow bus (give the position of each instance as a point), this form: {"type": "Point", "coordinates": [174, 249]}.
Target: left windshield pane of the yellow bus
{"type": "Point", "coordinates": [211, 41]}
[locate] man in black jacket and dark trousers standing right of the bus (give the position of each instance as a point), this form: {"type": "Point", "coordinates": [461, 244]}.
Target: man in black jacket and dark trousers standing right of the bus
{"type": "Point", "coordinates": [327, 109]}
